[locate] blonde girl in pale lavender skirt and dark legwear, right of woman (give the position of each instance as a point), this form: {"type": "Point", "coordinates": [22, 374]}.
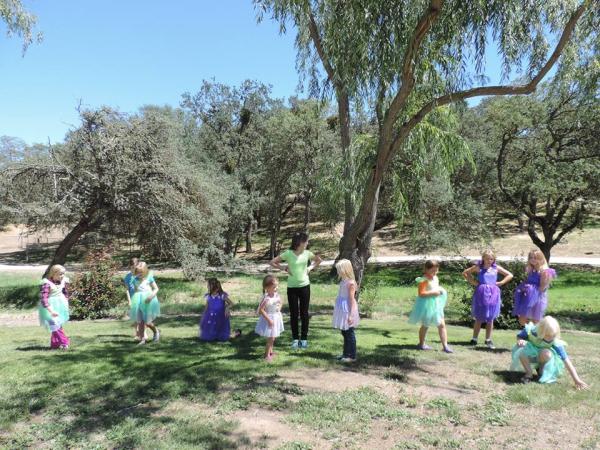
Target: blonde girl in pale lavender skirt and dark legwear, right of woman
{"type": "Point", "coordinates": [345, 312]}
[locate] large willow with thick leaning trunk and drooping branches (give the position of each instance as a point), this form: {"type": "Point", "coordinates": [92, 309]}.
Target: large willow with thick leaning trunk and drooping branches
{"type": "Point", "coordinates": [407, 58]}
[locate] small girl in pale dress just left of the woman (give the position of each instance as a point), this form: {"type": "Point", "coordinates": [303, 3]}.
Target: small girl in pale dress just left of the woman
{"type": "Point", "coordinates": [270, 322]}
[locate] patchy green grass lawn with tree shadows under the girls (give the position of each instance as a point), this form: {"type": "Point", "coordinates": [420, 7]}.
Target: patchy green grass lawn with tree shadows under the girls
{"type": "Point", "coordinates": [105, 392]}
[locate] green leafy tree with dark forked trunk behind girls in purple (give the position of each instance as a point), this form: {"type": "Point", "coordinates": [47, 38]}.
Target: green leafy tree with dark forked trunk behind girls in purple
{"type": "Point", "coordinates": [548, 160]}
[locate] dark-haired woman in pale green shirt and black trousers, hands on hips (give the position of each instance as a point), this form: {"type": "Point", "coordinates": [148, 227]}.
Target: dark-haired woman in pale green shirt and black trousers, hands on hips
{"type": "Point", "coordinates": [297, 258]}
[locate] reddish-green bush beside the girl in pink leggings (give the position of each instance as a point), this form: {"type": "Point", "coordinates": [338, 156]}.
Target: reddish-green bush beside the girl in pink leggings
{"type": "Point", "coordinates": [94, 293]}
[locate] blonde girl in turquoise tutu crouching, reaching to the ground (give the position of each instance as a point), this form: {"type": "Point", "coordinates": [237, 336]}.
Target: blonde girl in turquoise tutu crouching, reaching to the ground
{"type": "Point", "coordinates": [540, 347]}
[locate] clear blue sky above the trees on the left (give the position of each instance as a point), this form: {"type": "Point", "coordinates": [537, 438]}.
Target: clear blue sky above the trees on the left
{"type": "Point", "coordinates": [131, 53]}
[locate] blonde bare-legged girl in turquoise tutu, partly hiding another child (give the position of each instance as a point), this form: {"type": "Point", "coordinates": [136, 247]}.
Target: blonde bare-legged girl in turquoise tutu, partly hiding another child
{"type": "Point", "coordinates": [144, 303]}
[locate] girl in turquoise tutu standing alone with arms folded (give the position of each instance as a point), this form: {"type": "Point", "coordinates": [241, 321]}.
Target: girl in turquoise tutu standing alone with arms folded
{"type": "Point", "coordinates": [429, 306]}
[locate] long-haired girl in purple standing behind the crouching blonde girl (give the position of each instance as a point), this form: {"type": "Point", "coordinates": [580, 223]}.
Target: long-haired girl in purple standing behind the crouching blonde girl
{"type": "Point", "coordinates": [531, 298]}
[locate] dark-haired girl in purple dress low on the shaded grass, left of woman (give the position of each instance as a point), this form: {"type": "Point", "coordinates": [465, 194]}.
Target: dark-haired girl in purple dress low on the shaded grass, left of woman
{"type": "Point", "coordinates": [215, 325]}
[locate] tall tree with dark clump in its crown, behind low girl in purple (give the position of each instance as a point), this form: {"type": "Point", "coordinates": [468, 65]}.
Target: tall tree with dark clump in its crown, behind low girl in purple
{"type": "Point", "coordinates": [229, 127]}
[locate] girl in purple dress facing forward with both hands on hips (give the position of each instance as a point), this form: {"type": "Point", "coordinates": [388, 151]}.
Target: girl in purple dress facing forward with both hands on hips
{"type": "Point", "coordinates": [486, 303]}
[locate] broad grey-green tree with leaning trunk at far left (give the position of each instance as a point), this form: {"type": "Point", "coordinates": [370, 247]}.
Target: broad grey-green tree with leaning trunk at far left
{"type": "Point", "coordinates": [119, 174]}
